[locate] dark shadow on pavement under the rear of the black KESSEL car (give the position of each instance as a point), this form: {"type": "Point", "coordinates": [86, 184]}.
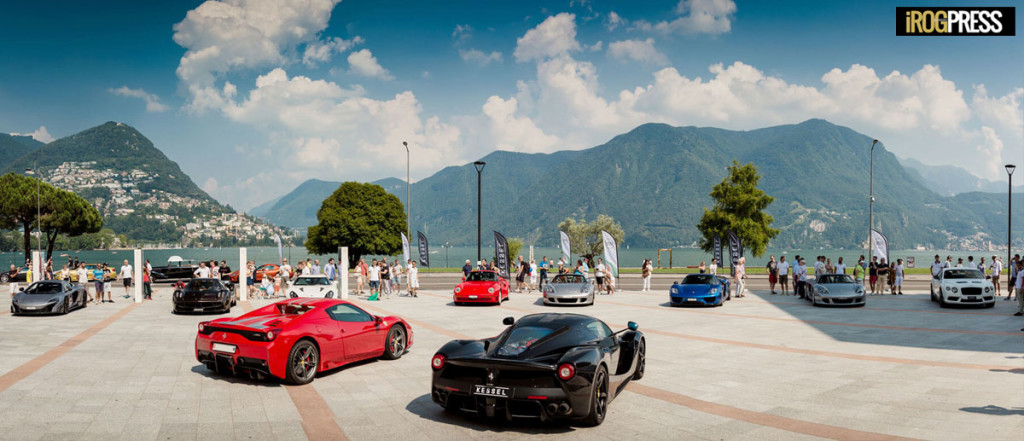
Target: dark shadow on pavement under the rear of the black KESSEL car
{"type": "Point", "coordinates": [425, 409]}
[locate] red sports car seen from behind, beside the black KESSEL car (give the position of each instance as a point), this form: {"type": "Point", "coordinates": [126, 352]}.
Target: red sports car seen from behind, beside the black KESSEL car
{"type": "Point", "coordinates": [297, 338]}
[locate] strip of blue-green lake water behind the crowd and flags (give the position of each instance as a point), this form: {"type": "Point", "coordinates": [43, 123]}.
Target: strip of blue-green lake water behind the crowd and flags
{"type": "Point", "coordinates": [454, 257]}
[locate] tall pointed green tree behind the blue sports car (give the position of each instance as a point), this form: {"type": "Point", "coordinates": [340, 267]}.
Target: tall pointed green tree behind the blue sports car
{"type": "Point", "coordinates": [740, 206]}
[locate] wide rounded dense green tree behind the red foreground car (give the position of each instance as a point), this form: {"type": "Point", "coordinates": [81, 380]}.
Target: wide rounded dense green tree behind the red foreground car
{"type": "Point", "coordinates": [363, 217]}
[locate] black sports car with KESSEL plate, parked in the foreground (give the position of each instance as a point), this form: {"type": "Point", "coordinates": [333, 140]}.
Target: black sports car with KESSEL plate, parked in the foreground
{"type": "Point", "coordinates": [547, 367]}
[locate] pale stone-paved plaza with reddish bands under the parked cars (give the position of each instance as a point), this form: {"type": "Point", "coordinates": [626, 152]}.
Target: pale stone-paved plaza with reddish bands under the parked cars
{"type": "Point", "coordinates": [761, 368]}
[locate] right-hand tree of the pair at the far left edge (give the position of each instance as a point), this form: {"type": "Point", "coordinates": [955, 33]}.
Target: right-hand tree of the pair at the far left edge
{"type": "Point", "coordinates": [69, 215]}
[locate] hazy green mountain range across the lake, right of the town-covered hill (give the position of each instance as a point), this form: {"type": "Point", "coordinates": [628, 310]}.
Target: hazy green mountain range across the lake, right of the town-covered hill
{"type": "Point", "coordinates": [656, 181]}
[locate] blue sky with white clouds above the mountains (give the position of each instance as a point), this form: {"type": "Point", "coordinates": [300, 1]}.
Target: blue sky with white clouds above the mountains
{"type": "Point", "coordinates": [253, 98]}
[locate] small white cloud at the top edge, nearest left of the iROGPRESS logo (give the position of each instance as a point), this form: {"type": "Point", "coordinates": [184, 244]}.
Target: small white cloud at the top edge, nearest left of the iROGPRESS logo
{"type": "Point", "coordinates": [697, 17]}
